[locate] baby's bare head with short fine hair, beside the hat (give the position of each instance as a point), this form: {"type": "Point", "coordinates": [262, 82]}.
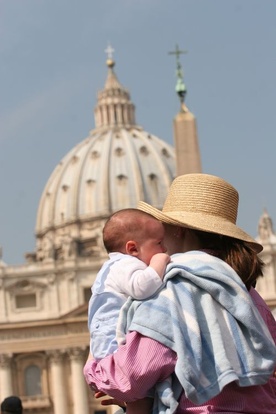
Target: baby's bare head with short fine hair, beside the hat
{"type": "Point", "coordinates": [134, 232]}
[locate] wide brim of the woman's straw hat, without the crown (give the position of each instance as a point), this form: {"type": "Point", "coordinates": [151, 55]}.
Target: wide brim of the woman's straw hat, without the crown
{"type": "Point", "coordinates": [200, 221]}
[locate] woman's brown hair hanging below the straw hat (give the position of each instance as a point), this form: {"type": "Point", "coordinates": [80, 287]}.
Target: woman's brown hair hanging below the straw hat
{"type": "Point", "coordinates": [237, 253]}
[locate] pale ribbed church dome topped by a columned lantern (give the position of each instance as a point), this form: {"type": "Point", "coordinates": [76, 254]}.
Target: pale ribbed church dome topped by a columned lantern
{"type": "Point", "coordinates": [117, 165]}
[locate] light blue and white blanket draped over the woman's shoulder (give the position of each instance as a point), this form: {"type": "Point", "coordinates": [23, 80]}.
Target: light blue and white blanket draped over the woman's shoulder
{"type": "Point", "coordinates": [206, 315]}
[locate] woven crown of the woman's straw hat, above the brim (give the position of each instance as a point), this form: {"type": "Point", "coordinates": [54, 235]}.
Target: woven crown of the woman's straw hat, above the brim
{"type": "Point", "coordinates": [200, 194]}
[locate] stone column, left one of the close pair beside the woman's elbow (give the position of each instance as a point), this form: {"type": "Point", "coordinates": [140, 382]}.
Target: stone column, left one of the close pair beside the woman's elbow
{"type": "Point", "coordinates": [58, 382]}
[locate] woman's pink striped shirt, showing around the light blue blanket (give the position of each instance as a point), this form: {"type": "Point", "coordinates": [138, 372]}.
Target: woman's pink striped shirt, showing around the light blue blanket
{"type": "Point", "coordinates": [128, 374]}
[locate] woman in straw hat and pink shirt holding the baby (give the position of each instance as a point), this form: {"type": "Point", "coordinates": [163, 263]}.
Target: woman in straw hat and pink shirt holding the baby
{"type": "Point", "coordinates": [202, 340]}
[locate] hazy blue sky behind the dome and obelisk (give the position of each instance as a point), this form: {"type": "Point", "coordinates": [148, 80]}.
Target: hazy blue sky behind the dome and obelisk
{"type": "Point", "coordinates": [53, 64]}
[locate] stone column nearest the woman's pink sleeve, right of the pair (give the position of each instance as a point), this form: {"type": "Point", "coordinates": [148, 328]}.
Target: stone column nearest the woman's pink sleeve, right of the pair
{"type": "Point", "coordinates": [79, 386]}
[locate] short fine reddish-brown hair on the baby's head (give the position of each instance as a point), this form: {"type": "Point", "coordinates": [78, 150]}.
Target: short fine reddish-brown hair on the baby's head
{"type": "Point", "coordinates": [124, 225]}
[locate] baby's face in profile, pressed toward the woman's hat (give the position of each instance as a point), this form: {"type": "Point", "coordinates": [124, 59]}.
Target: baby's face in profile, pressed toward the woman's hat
{"type": "Point", "coordinates": [153, 241]}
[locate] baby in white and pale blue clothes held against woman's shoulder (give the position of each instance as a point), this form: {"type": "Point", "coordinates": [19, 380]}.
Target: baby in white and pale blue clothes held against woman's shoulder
{"type": "Point", "coordinates": [137, 261]}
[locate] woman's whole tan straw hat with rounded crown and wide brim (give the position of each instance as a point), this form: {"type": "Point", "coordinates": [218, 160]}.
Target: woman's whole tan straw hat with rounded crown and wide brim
{"type": "Point", "coordinates": [202, 202]}
